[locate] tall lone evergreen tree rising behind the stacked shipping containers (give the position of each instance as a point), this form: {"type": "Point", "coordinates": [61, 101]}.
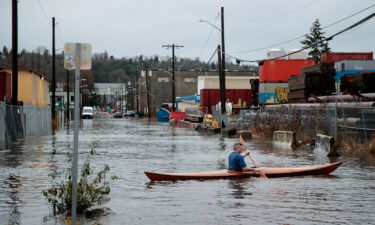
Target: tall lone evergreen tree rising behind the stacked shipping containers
{"type": "Point", "coordinates": [315, 40]}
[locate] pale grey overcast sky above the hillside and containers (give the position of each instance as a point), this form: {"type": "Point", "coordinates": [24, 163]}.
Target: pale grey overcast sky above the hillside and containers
{"type": "Point", "coordinates": [126, 28]}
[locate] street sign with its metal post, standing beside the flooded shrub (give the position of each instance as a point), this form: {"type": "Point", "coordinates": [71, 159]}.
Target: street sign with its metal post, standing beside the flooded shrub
{"type": "Point", "coordinates": [77, 57]}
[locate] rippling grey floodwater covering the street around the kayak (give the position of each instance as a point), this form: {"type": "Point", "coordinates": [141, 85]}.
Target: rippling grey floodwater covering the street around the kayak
{"type": "Point", "coordinates": [131, 147]}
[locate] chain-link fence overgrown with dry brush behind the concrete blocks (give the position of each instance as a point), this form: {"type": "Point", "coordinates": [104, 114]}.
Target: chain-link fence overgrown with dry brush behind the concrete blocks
{"type": "Point", "coordinates": [349, 123]}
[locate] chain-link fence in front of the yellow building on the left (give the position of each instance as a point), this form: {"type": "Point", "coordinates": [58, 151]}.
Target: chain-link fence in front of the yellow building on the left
{"type": "Point", "coordinates": [18, 122]}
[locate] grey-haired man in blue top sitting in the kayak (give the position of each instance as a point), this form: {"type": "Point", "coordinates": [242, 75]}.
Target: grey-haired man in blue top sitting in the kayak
{"type": "Point", "coordinates": [236, 160]}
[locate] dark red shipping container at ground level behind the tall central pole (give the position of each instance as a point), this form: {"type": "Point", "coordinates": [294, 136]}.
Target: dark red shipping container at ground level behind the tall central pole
{"type": "Point", "coordinates": [210, 97]}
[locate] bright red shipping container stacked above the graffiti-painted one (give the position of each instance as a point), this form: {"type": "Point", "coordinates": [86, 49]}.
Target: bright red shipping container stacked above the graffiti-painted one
{"type": "Point", "coordinates": [279, 70]}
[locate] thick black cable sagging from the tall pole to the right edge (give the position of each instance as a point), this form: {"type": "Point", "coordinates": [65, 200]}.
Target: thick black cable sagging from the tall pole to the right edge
{"type": "Point", "coordinates": [318, 42]}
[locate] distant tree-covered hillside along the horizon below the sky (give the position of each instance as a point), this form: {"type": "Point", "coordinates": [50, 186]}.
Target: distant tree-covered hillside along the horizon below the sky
{"type": "Point", "coordinates": [105, 68]}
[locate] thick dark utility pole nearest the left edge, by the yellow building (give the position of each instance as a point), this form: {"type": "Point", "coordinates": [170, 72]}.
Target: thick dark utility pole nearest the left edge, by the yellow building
{"type": "Point", "coordinates": [14, 53]}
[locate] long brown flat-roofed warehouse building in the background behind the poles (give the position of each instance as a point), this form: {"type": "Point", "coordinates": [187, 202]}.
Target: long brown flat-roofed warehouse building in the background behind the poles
{"type": "Point", "coordinates": [187, 83]}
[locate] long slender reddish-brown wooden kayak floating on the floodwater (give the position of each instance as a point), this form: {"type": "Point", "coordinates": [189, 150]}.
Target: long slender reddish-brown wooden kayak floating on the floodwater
{"type": "Point", "coordinates": [225, 174]}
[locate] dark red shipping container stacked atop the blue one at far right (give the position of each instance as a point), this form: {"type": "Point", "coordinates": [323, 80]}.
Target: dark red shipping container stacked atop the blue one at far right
{"type": "Point", "coordinates": [330, 57]}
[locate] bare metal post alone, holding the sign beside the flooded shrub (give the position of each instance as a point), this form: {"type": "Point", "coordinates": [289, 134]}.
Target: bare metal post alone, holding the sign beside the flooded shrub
{"type": "Point", "coordinates": [76, 130]}
